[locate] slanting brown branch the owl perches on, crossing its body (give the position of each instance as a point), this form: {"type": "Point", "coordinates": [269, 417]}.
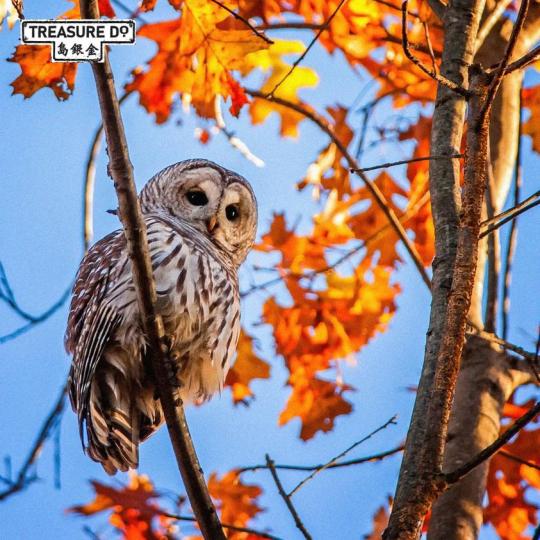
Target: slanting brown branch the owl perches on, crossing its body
{"type": "Point", "coordinates": [121, 171]}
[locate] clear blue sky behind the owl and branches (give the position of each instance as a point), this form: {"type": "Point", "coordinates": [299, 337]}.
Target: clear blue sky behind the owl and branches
{"type": "Point", "coordinates": [43, 150]}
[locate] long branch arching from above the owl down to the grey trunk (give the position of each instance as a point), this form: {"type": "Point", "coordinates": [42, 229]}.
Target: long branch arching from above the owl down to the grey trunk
{"type": "Point", "coordinates": [377, 194]}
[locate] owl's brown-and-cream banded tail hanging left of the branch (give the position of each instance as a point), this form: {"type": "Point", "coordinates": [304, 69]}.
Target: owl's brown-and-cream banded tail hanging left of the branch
{"type": "Point", "coordinates": [120, 415]}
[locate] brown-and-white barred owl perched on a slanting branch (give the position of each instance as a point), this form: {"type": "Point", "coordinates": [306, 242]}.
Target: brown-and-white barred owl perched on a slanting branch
{"type": "Point", "coordinates": [201, 221]}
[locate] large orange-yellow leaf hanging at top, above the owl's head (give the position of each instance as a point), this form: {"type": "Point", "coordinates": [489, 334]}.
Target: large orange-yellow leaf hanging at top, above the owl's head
{"type": "Point", "coordinates": [195, 57]}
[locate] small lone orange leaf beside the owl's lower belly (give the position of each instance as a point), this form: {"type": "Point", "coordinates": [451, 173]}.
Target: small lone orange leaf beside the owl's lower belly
{"type": "Point", "coordinates": [247, 367]}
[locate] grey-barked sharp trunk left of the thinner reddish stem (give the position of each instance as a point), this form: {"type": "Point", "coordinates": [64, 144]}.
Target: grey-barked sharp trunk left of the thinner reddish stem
{"type": "Point", "coordinates": [417, 486]}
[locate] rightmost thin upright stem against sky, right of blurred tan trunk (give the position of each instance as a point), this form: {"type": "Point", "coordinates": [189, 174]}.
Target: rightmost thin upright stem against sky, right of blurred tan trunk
{"type": "Point", "coordinates": [513, 235]}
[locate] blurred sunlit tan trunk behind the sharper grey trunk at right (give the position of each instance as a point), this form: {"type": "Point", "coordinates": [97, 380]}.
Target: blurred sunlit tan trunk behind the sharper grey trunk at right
{"type": "Point", "coordinates": [486, 379]}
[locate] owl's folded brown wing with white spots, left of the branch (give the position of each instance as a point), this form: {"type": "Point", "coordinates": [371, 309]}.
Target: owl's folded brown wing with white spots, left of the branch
{"type": "Point", "coordinates": [91, 322]}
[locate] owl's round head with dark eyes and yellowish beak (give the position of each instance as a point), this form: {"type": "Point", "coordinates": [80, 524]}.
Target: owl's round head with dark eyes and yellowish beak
{"type": "Point", "coordinates": [216, 201]}
